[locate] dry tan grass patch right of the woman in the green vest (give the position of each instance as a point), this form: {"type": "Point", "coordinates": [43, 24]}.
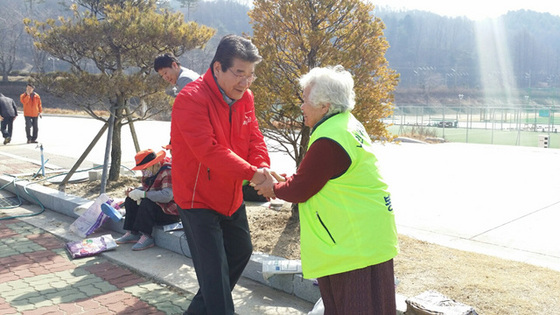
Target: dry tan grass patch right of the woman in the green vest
{"type": "Point", "coordinates": [489, 284]}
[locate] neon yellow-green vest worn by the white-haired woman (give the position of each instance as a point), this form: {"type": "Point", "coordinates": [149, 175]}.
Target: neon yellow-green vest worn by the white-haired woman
{"type": "Point", "coordinates": [349, 224]}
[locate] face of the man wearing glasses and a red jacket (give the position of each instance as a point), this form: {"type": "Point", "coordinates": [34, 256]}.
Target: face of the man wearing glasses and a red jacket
{"type": "Point", "coordinates": [237, 79]}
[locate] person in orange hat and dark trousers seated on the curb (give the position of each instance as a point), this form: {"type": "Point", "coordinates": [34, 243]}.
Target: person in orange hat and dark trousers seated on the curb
{"type": "Point", "coordinates": [149, 205]}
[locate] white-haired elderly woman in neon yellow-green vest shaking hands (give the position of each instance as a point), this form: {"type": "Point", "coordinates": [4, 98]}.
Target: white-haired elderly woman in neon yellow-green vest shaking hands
{"type": "Point", "coordinates": [348, 232]}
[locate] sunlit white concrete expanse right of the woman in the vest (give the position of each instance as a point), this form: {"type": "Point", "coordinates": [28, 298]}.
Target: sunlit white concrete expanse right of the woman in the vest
{"type": "Point", "coordinates": [501, 201]}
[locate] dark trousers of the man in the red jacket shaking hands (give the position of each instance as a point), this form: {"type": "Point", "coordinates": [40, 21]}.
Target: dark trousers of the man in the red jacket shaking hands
{"type": "Point", "coordinates": [220, 247]}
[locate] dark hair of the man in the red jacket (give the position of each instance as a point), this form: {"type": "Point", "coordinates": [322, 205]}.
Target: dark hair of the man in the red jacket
{"type": "Point", "coordinates": [234, 46]}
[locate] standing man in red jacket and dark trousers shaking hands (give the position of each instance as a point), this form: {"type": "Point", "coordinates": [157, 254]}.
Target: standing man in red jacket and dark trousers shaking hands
{"type": "Point", "coordinates": [217, 145]}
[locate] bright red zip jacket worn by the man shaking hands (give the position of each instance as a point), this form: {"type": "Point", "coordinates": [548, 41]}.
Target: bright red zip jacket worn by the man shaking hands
{"type": "Point", "coordinates": [215, 147]}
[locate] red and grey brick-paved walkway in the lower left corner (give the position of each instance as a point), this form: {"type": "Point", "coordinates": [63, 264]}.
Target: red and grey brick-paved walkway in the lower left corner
{"type": "Point", "coordinates": [38, 277]}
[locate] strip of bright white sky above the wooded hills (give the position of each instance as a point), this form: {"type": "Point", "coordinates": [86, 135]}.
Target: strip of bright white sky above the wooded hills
{"type": "Point", "coordinates": [473, 9]}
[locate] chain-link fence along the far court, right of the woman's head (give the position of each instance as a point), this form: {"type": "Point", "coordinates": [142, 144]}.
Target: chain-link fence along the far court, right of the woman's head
{"type": "Point", "coordinates": [535, 126]}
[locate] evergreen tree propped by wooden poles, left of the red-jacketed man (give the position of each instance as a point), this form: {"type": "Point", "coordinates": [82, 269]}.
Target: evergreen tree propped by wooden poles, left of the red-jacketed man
{"type": "Point", "coordinates": [111, 45]}
